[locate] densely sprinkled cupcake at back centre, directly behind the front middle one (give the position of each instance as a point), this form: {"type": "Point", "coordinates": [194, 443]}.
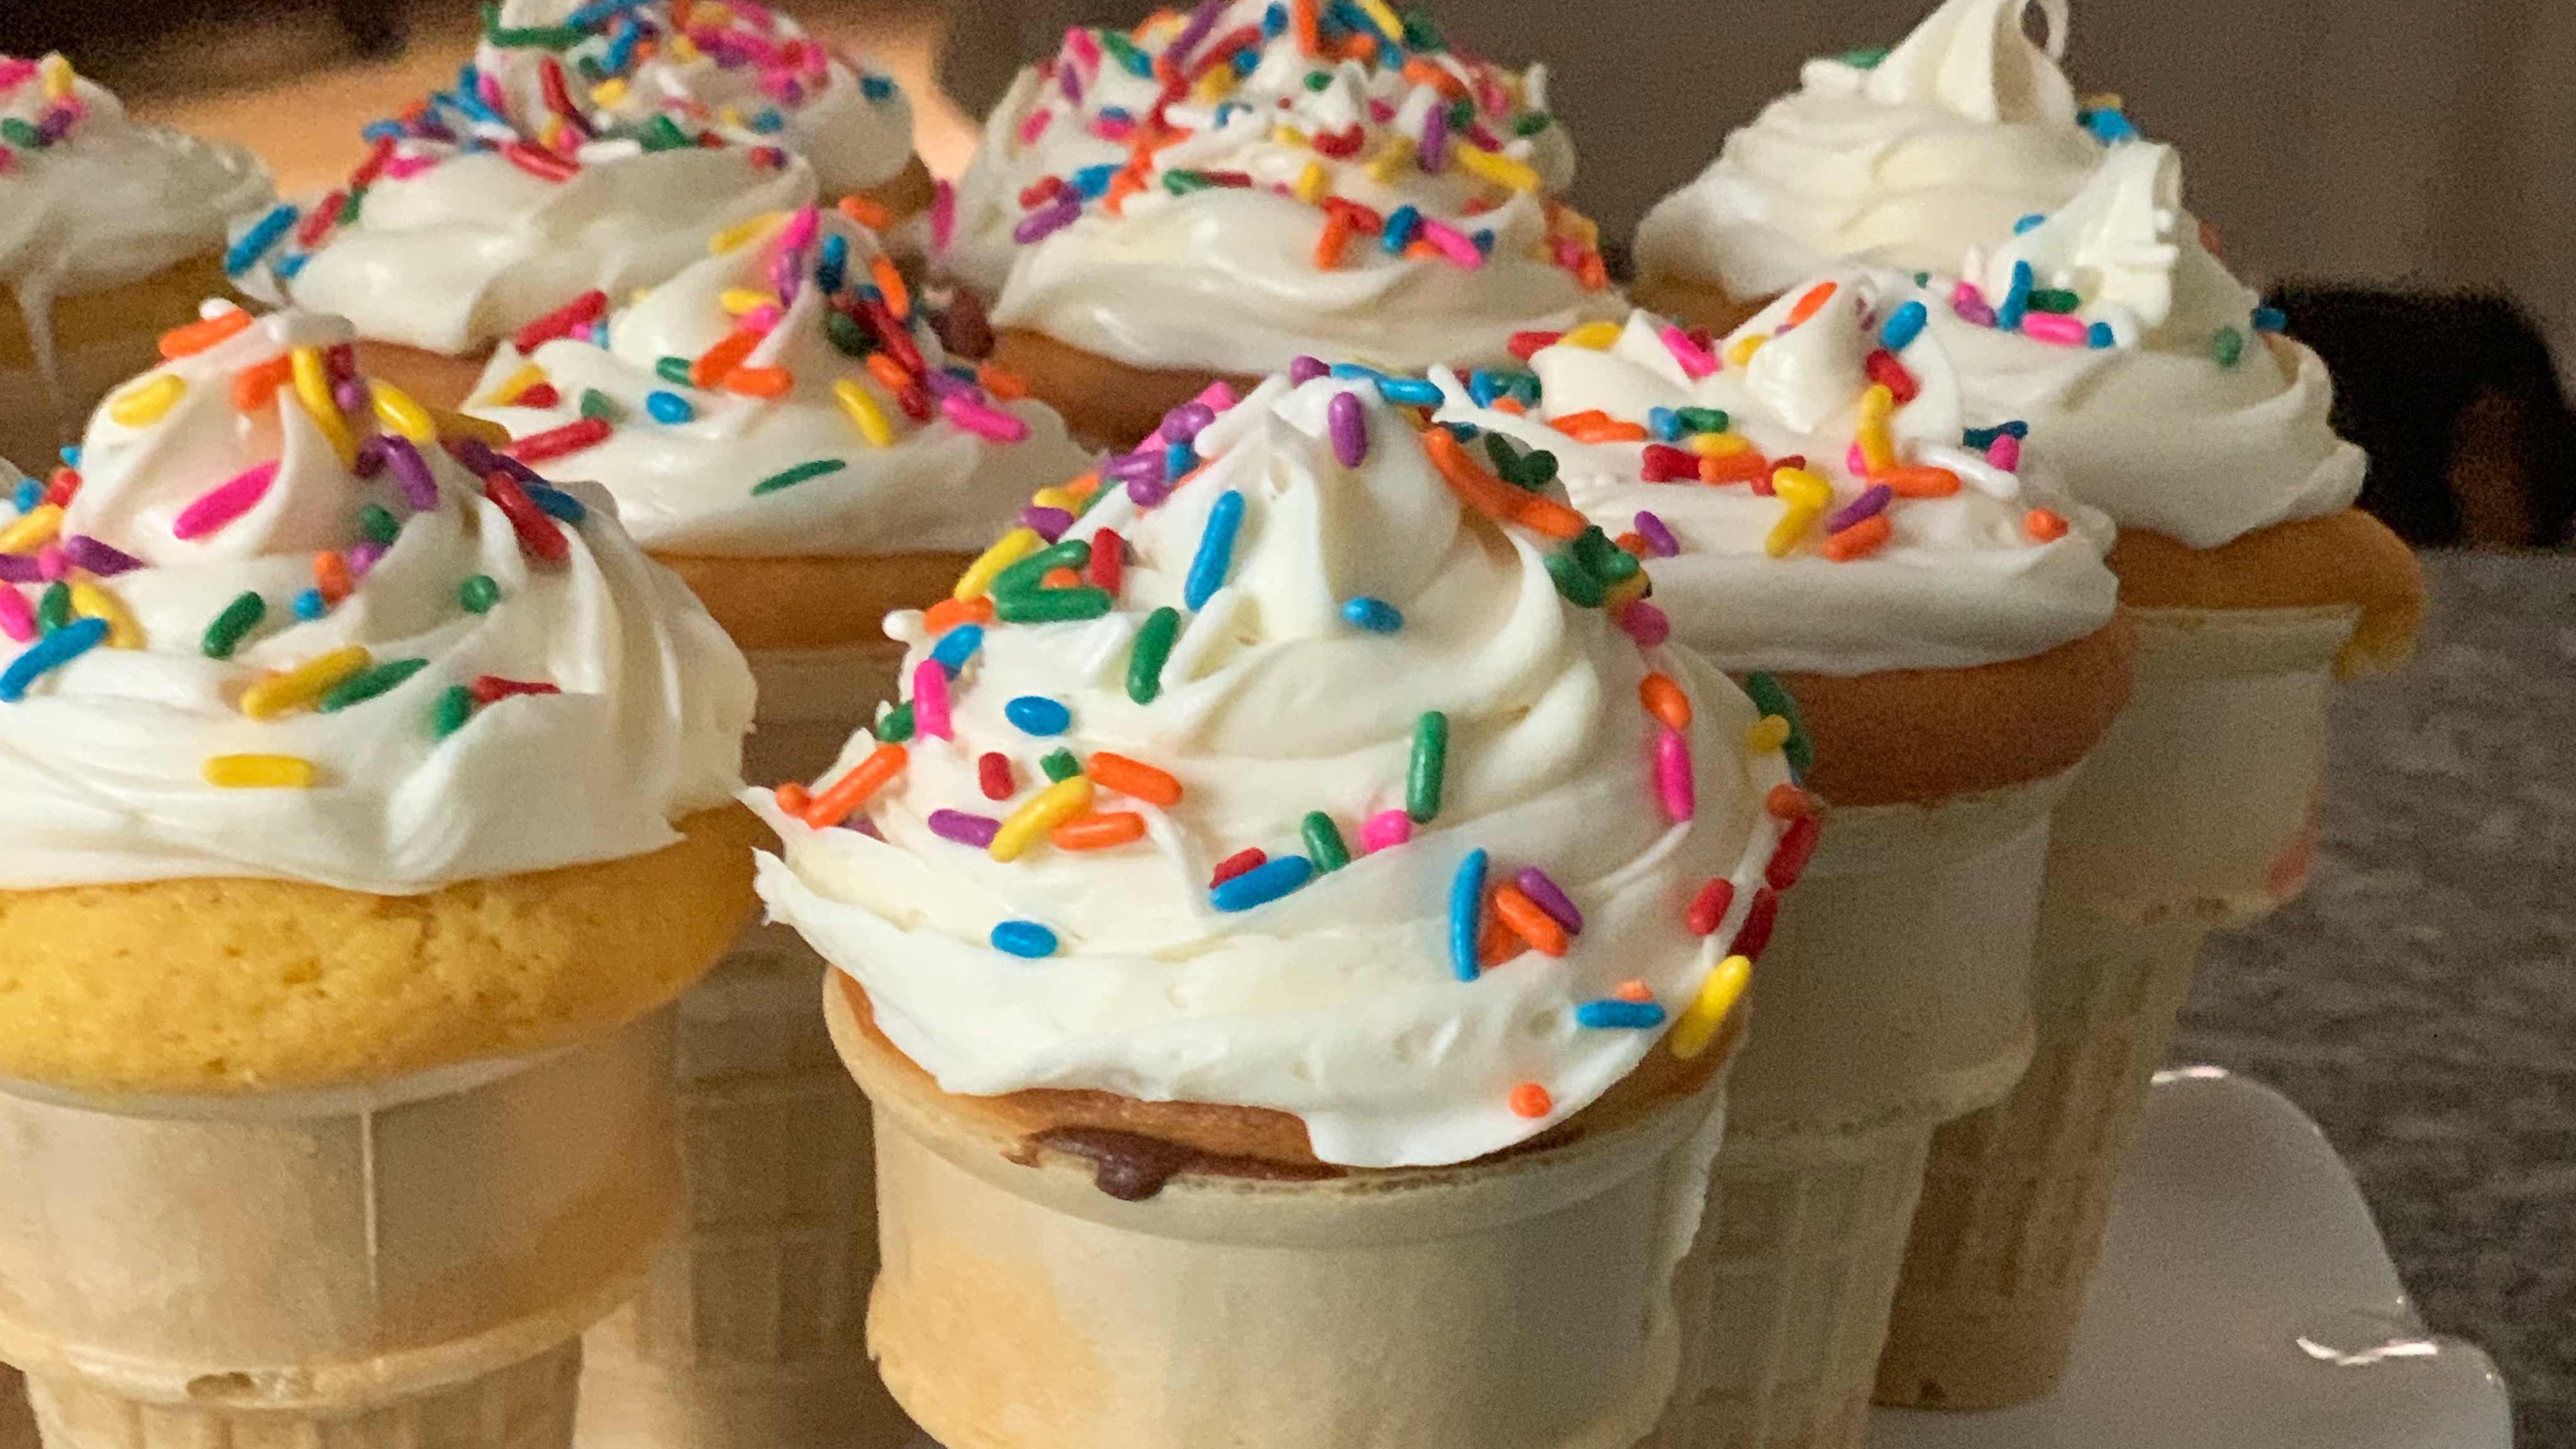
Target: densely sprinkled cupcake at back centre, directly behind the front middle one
{"type": "Point", "coordinates": [1222, 192]}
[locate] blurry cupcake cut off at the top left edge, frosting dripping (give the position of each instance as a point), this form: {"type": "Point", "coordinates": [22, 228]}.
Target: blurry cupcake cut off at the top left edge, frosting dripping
{"type": "Point", "coordinates": [109, 236]}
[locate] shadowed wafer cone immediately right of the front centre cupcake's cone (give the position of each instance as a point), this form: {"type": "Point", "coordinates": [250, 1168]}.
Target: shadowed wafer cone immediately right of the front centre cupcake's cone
{"type": "Point", "coordinates": [1892, 999]}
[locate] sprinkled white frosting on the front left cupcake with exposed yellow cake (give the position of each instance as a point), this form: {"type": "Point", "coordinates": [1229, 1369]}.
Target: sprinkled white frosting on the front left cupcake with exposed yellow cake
{"type": "Point", "coordinates": [282, 643]}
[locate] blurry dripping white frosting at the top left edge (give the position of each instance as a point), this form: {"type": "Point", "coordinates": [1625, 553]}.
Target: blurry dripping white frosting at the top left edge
{"type": "Point", "coordinates": [91, 200]}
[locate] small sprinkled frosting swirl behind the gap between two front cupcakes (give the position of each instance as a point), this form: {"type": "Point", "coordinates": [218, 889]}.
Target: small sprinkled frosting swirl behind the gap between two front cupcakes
{"type": "Point", "coordinates": [782, 460]}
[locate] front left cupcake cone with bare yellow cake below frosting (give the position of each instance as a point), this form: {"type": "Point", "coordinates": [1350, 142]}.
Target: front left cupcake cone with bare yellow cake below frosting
{"type": "Point", "coordinates": [365, 824]}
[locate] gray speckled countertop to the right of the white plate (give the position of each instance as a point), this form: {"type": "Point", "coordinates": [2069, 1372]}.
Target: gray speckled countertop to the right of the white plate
{"type": "Point", "coordinates": [2420, 1002]}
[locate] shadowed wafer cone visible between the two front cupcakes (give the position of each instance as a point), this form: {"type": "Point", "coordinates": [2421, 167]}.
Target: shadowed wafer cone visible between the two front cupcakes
{"type": "Point", "coordinates": [751, 1332]}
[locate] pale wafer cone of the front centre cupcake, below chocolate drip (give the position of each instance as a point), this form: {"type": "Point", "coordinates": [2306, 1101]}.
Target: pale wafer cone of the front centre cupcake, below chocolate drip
{"type": "Point", "coordinates": [1521, 1303]}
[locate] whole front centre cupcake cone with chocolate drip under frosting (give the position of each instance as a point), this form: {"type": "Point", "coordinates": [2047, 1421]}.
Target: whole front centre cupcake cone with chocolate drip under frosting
{"type": "Point", "coordinates": [1287, 953]}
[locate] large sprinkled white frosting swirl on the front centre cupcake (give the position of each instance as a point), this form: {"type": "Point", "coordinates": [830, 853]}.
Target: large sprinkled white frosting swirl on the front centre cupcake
{"type": "Point", "coordinates": [1333, 584]}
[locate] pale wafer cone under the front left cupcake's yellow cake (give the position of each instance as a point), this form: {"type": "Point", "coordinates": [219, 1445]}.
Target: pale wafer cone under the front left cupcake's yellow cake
{"type": "Point", "coordinates": [398, 1267]}
